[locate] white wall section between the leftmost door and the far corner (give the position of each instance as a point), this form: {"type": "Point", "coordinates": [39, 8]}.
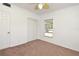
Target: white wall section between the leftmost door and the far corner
{"type": "Point", "coordinates": [22, 26]}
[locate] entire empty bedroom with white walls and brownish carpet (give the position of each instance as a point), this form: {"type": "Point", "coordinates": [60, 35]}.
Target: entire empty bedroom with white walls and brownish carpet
{"type": "Point", "coordinates": [22, 23]}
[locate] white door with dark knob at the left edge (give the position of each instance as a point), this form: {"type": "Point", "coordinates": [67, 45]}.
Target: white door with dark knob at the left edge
{"type": "Point", "coordinates": [4, 28]}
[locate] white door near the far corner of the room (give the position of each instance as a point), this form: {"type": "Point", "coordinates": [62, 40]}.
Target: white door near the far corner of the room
{"type": "Point", "coordinates": [31, 29]}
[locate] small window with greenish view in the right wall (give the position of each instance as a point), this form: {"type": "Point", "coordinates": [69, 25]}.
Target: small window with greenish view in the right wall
{"type": "Point", "coordinates": [49, 28]}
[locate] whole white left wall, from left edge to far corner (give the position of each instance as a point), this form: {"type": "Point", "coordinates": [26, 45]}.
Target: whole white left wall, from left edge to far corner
{"type": "Point", "coordinates": [17, 25]}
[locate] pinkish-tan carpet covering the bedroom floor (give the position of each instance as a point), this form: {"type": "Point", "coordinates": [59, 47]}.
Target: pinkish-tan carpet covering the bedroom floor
{"type": "Point", "coordinates": [38, 48]}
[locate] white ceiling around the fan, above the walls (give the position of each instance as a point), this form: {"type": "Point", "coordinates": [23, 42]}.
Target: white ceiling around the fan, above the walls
{"type": "Point", "coordinates": [52, 7]}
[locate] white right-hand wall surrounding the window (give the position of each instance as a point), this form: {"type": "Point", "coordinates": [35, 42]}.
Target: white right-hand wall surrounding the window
{"type": "Point", "coordinates": [66, 27]}
